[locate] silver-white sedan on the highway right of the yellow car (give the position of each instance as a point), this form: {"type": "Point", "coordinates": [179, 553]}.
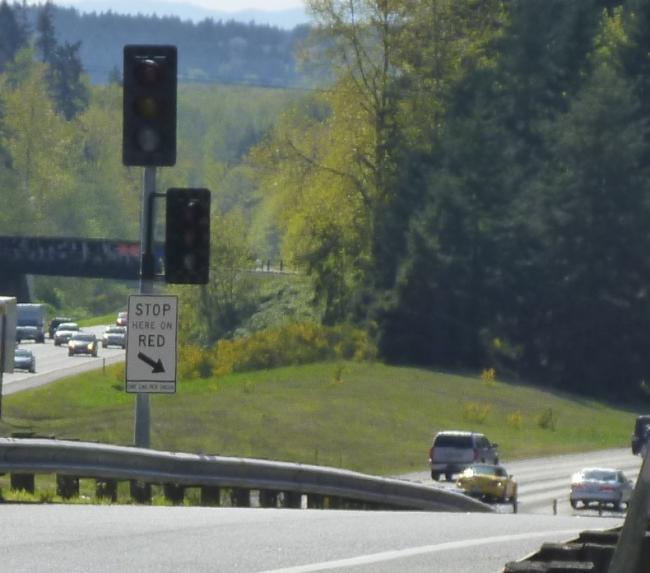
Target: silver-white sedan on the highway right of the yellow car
{"type": "Point", "coordinates": [600, 486]}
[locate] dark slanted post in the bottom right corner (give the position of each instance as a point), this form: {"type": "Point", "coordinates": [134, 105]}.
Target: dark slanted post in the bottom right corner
{"type": "Point", "coordinates": [627, 555]}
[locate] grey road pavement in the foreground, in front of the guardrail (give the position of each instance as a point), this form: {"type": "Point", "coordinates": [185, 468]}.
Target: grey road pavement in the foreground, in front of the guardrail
{"type": "Point", "coordinates": [60, 538]}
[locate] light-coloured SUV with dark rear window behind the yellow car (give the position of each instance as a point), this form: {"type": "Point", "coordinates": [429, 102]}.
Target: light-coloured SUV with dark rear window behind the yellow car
{"type": "Point", "coordinates": [454, 451]}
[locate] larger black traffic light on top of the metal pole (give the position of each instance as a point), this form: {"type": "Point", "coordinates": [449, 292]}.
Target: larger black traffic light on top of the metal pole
{"type": "Point", "coordinates": [149, 112]}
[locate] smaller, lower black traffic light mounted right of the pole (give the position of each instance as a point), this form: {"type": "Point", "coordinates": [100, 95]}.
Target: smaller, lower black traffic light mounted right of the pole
{"type": "Point", "coordinates": [187, 236]}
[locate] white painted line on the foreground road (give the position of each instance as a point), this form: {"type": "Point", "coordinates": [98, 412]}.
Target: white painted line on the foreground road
{"type": "Point", "coordinates": [402, 553]}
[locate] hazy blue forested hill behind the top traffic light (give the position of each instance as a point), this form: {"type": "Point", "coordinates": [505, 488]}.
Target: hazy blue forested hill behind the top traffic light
{"type": "Point", "coordinates": [210, 51]}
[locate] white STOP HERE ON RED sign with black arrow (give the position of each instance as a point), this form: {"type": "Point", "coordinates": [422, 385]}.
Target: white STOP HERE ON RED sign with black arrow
{"type": "Point", "coordinates": [151, 344]}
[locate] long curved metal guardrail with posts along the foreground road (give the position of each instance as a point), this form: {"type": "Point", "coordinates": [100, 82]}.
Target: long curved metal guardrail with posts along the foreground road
{"type": "Point", "coordinates": [276, 483]}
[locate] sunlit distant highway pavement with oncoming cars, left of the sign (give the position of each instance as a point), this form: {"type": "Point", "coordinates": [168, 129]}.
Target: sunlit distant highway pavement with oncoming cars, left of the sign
{"type": "Point", "coordinates": [53, 362]}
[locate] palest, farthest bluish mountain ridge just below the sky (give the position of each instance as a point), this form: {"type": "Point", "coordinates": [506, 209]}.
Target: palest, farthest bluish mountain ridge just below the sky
{"type": "Point", "coordinates": [286, 19]}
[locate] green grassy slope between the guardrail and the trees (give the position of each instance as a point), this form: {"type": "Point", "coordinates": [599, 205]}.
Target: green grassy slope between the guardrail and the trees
{"type": "Point", "coordinates": [368, 417]}
